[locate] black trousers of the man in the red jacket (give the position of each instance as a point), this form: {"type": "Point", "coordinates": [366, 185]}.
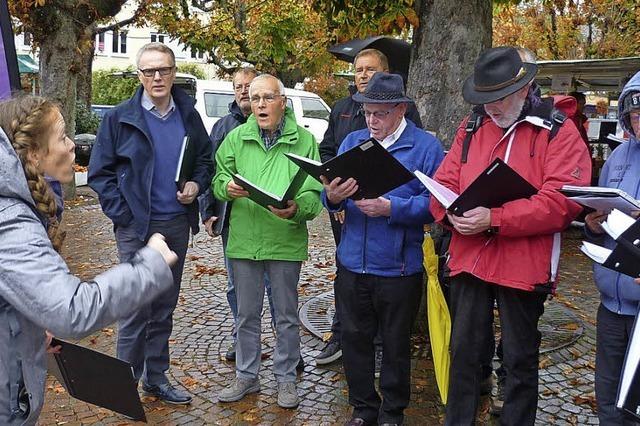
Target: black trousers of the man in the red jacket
{"type": "Point", "coordinates": [472, 314]}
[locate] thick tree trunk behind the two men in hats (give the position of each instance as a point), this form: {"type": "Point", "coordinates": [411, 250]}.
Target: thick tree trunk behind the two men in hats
{"type": "Point", "coordinates": [445, 46]}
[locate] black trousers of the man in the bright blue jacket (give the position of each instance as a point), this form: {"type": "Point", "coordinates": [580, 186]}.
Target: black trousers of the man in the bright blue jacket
{"type": "Point", "coordinates": [370, 304]}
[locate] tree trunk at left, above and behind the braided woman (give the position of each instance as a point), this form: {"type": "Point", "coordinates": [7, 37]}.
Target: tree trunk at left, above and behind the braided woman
{"type": "Point", "coordinates": [58, 73]}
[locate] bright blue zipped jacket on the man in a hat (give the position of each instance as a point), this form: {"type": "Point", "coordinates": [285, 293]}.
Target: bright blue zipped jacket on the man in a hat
{"type": "Point", "coordinates": [391, 246]}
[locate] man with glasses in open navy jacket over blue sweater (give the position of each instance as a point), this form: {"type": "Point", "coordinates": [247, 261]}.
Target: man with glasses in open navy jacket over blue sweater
{"type": "Point", "coordinates": [132, 168]}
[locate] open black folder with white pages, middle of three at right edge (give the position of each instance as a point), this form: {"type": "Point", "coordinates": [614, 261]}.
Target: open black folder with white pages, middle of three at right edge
{"type": "Point", "coordinates": [625, 257]}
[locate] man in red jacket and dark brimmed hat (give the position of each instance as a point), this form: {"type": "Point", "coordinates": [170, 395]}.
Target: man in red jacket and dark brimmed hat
{"type": "Point", "coordinates": [509, 252]}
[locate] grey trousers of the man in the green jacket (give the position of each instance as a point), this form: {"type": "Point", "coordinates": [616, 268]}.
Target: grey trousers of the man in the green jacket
{"type": "Point", "coordinates": [249, 282]}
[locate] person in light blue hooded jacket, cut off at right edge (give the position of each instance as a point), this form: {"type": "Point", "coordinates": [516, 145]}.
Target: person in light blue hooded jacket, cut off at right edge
{"type": "Point", "coordinates": [619, 294]}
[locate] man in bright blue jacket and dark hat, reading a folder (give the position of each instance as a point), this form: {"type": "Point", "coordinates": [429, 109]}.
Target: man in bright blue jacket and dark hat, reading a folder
{"type": "Point", "coordinates": [380, 273]}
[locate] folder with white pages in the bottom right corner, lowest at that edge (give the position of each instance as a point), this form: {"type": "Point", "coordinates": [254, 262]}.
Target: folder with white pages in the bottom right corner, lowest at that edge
{"type": "Point", "coordinates": [628, 398]}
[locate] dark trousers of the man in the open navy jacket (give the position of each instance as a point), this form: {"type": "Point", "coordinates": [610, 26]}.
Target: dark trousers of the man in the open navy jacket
{"type": "Point", "coordinates": [143, 338]}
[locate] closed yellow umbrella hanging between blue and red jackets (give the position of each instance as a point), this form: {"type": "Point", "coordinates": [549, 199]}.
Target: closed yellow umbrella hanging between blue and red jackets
{"type": "Point", "coordinates": [439, 319]}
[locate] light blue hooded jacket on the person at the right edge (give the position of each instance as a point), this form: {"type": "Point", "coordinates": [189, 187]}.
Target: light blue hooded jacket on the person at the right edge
{"type": "Point", "coordinates": [618, 292]}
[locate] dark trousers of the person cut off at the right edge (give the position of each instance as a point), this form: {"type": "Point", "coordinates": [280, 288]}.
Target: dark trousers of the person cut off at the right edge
{"type": "Point", "coordinates": [612, 337]}
